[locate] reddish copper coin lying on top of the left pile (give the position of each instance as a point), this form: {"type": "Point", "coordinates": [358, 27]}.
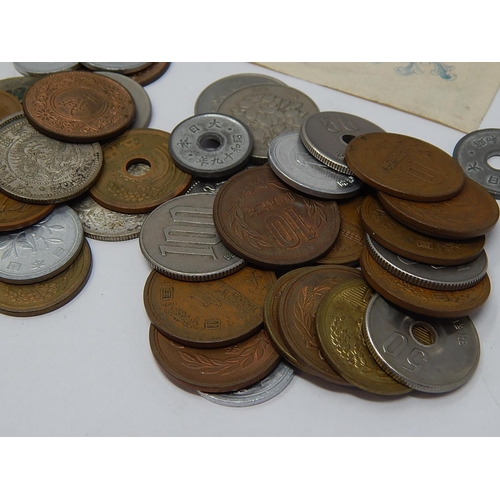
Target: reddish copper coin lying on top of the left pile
{"type": "Point", "coordinates": [79, 106]}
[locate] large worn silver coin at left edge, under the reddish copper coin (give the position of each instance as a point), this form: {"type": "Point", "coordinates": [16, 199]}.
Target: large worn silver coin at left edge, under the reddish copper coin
{"type": "Point", "coordinates": [37, 169]}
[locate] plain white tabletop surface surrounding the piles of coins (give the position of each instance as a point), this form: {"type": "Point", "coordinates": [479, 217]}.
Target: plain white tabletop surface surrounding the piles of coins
{"type": "Point", "coordinates": [87, 368]}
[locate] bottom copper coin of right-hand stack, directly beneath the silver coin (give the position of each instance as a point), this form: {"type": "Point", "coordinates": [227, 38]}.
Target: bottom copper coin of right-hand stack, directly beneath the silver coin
{"type": "Point", "coordinates": [435, 303]}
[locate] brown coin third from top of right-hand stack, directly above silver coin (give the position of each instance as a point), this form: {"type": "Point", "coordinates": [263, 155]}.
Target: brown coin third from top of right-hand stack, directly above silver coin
{"type": "Point", "coordinates": [402, 240]}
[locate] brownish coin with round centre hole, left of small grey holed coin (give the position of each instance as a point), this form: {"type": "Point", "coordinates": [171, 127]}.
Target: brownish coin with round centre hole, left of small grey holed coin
{"type": "Point", "coordinates": [138, 173]}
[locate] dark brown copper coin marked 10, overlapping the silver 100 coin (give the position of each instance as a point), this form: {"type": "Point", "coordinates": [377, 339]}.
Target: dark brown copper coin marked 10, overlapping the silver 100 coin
{"type": "Point", "coordinates": [261, 219]}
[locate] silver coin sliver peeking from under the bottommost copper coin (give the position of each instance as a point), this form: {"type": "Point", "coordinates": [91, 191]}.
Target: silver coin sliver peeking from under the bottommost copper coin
{"type": "Point", "coordinates": [262, 391]}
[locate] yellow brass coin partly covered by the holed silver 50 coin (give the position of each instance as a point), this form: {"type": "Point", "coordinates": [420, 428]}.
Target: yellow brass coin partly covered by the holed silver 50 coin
{"type": "Point", "coordinates": [339, 328]}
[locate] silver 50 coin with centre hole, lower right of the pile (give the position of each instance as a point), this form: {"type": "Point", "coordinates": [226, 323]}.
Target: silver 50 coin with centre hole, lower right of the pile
{"type": "Point", "coordinates": [426, 354]}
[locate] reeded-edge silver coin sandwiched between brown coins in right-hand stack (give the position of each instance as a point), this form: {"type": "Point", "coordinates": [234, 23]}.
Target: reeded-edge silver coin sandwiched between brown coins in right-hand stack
{"type": "Point", "coordinates": [426, 275]}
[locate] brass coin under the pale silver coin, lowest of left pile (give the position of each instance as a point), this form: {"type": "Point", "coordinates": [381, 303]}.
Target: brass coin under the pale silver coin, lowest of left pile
{"type": "Point", "coordinates": [46, 296]}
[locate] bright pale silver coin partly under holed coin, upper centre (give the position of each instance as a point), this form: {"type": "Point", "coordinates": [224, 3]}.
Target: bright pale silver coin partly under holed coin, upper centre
{"type": "Point", "coordinates": [295, 166]}
